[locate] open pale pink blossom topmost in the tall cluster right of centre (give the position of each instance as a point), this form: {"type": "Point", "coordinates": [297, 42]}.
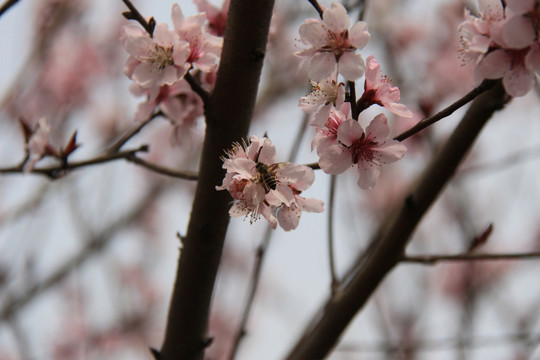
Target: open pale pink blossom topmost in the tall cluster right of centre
{"type": "Point", "coordinates": [331, 45]}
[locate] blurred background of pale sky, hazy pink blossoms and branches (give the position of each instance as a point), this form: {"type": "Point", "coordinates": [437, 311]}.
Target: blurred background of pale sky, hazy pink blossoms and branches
{"type": "Point", "coordinates": [87, 261]}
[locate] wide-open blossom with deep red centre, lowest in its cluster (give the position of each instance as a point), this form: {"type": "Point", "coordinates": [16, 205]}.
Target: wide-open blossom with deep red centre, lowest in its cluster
{"type": "Point", "coordinates": [368, 150]}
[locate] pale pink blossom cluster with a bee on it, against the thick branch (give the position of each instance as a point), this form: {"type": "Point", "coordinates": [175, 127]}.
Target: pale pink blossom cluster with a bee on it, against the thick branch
{"type": "Point", "coordinates": [259, 186]}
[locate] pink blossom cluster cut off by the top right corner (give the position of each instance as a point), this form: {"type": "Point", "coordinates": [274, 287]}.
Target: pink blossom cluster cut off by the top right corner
{"type": "Point", "coordinates": [504, 42]}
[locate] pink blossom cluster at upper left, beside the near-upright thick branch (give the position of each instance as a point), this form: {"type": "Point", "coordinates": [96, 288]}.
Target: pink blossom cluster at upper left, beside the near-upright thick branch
{"type": "Point", "coordinates": [158, 62]}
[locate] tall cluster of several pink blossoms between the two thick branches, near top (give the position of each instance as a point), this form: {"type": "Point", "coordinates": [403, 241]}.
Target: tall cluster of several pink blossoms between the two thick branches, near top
{"type": "Point", "coordinates": [340, 140]}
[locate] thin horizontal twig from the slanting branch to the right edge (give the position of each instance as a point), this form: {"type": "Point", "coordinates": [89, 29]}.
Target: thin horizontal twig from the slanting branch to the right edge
{"type": "Point", "coordinates": [433, 259]}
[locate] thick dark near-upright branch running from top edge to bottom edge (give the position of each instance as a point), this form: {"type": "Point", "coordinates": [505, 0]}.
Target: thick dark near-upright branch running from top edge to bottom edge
{"type": "Point", "coordinates": [228, 116]}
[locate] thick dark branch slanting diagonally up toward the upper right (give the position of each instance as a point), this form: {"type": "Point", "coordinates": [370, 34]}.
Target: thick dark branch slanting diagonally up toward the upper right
{"type": "Point", "coordinates": [393, 234]}
